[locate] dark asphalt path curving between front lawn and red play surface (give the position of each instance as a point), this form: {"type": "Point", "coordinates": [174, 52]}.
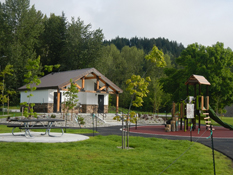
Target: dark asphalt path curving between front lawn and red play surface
{"type": "Point", "coordinates": [223, 145]}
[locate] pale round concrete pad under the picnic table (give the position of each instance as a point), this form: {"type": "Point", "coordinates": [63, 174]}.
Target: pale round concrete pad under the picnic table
{"type": "Point", "coordinates": [37, 137]}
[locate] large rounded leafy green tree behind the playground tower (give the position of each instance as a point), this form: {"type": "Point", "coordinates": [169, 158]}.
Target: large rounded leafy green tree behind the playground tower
{"type": "Point", "coordinates": [213, 62]}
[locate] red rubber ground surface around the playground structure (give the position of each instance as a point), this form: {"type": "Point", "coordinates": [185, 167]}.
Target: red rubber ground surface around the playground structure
{"type": "Point", "coordinates": [219, 132]}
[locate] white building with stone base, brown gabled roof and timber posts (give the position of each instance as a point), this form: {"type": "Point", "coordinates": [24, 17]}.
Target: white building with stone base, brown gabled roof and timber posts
{"type": "Point", "coordinates": [94, 89]}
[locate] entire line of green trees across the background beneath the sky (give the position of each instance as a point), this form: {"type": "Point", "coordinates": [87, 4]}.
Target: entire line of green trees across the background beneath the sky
{"type": "Point", "coordinates": [26, 33]}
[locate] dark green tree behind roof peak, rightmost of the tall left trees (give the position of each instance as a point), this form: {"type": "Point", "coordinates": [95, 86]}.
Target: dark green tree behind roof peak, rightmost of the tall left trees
{"type": "Point", "coordinates": [83, 46]}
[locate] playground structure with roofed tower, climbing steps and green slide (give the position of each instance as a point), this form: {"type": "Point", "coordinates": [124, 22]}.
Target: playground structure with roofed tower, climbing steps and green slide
{"type": "Point", "coordinates": [193, 108]}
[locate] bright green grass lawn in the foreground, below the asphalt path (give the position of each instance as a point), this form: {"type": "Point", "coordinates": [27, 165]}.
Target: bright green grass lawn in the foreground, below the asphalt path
{"type": "Point", "coordinates": [100, 155]}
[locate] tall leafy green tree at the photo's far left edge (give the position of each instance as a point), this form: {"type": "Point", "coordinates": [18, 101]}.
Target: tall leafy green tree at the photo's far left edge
{"type": "Point", "coordinates": [21, 29]}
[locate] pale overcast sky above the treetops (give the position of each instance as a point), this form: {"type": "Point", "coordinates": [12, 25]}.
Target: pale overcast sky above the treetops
{"type": "Point", "coordinates": [185, 21]}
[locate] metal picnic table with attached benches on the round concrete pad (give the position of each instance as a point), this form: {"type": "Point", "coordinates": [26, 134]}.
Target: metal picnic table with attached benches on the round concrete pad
{"type": "Point", "coordinates": [28, 124]}
